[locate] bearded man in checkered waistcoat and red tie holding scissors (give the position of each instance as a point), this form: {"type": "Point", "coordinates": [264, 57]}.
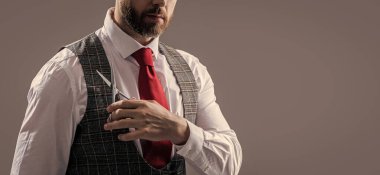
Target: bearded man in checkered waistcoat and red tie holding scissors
{"type": "Point", "coordinates": [120, 102]}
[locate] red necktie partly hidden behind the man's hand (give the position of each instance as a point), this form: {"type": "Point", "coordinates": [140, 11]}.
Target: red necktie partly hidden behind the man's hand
{"type": "Point", "coordinates": [156, 153]}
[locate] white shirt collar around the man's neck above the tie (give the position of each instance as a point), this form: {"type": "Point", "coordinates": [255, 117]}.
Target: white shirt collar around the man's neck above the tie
{"type": "Point", "coordinates": [124, 43]}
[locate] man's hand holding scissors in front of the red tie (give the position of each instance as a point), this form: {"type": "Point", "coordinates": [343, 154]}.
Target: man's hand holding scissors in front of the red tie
{"type": "Point", "coordinates": [151, 121]}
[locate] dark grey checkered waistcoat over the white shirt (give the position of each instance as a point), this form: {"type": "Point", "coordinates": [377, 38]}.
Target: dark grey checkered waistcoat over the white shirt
{"type": "Point", "coordinates": [96, 151]}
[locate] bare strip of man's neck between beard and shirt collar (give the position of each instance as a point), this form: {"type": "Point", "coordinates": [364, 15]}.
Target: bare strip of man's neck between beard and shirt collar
{"type": "Point", "coordinates": [128, 30]}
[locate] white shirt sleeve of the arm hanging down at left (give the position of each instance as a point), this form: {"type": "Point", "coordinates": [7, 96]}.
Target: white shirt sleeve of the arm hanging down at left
{"type": "Point", "coordinates": [45, 137]}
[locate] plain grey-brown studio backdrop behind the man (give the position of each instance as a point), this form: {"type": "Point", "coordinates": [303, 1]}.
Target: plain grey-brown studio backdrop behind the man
{"type": "Point", "coordinates": [298, 80]}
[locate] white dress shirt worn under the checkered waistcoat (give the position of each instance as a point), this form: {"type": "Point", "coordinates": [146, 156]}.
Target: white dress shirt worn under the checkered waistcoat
{"type": "Point", "coordinates": [58, 96]}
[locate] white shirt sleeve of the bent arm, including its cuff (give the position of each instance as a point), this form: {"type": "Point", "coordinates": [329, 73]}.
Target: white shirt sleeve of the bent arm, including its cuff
{"type": "Point", "coordinates": [212, 147]}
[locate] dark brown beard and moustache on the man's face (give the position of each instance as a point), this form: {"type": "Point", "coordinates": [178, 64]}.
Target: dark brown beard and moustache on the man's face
{"type": "Point", "coordinates": [138, 25]}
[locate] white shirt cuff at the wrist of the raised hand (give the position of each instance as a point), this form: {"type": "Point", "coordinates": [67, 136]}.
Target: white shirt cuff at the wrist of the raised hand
{"type": "Point", "coordinates": [192, 149]}
